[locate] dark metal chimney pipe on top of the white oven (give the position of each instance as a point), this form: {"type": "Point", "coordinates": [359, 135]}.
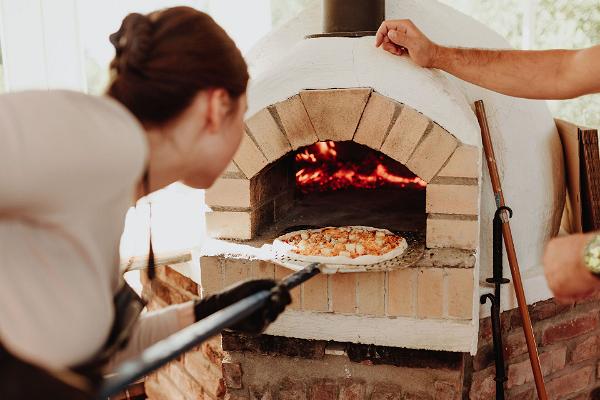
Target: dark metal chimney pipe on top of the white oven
{"type": "Point", "coordinates": [352, 17]}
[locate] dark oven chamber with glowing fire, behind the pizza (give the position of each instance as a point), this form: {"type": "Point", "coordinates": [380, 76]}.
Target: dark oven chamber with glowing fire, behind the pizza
{"type": "Point", "coordinates": [345, 183]}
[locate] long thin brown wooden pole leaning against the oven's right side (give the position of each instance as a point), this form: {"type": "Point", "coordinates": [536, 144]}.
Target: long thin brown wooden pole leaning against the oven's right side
{"type": "Point", "coordinates": [510, 251]}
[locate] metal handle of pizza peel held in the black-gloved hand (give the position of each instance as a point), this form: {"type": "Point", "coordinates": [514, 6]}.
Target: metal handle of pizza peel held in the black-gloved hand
{"type": "Point", "coordinates": [186, 339]}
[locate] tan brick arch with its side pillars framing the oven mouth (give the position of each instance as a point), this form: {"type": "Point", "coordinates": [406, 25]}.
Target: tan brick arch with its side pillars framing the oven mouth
{"type": "Point", "coordinates": [450, 168]}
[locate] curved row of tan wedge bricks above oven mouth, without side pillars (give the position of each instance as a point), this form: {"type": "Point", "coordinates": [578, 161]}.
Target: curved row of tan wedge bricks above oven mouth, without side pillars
{"type": "Point", "coordinates": [356, 114]}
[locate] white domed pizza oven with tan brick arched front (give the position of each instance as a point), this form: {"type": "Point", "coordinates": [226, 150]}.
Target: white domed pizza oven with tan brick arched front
{"type": "Point", "coordinates": [341, 133]}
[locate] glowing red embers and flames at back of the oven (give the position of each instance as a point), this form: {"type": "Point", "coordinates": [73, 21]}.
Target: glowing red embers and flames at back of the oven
{"type": "Point", "coordinates": [326, 166]}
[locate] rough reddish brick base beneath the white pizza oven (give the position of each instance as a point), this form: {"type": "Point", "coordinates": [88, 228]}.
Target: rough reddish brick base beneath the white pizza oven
{"type": "Point", "coordinates": [266, 367]}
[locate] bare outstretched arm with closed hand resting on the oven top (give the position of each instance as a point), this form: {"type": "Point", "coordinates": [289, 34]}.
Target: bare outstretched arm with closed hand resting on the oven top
{"type": "Point", "coordinates": [549, 74]}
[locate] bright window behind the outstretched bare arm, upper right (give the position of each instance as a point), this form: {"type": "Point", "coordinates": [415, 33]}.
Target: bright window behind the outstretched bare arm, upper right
{"type": "Point", "coordinates": [545, 24]}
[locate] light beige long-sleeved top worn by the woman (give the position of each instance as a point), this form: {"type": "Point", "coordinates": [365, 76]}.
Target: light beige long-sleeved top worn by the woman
{"type": "Point", "coordinates": [69, 163]}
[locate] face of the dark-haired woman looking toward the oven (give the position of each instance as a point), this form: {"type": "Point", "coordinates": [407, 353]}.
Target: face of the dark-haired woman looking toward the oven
{"type": "Point", "coordinates": [216, 149]}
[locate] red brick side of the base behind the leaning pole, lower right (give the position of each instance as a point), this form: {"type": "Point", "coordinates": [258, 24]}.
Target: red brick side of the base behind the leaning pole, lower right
{"type": "Point", "coordinates": [568, 338]}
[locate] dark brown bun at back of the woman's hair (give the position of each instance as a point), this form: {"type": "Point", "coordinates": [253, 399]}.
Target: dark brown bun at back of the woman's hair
{"type": "Point", "coordinates": [132, 43]}
